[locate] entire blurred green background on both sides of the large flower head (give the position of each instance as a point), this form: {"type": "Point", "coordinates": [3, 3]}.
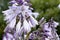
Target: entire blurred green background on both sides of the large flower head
{"type": "Point", "coordinates": [46, 8]}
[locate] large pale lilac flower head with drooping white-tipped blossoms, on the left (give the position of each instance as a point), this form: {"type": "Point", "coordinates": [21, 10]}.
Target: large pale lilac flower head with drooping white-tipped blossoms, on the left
{"type": "Point", "coordinates": [19, 18]}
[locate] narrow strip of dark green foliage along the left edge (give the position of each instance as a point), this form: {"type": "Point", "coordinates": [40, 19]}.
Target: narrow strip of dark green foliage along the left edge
{"type": "Point", "coordinates": [3, 6]}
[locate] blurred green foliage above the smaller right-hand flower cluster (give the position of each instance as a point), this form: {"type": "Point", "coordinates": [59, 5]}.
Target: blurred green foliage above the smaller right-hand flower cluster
{"type": "Point", "coordinates": [47, 9]}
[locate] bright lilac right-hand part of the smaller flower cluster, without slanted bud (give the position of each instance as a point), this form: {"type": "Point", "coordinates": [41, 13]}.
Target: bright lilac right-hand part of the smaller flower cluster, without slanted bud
{"type": "Point", "coordinates": [49, 29]}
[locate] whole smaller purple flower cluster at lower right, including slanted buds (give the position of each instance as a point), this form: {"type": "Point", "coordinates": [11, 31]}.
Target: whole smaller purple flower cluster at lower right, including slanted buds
{"type": "Point", "coordinates": [46, 32]}
